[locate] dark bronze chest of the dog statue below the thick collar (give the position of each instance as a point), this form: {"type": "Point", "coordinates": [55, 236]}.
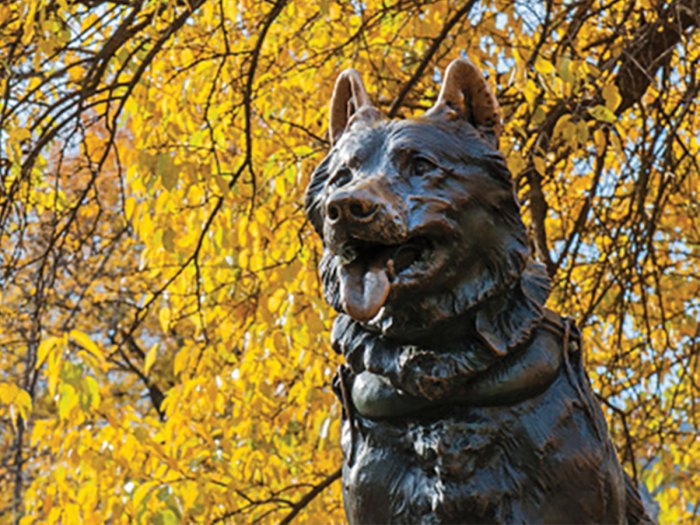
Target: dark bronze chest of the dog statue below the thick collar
{"type": "Point", "coordinates": [478, 465]}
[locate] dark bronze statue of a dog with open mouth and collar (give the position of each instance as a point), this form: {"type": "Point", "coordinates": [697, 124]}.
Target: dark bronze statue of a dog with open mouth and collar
{"type": "Point", "coordinates": [465, 400]}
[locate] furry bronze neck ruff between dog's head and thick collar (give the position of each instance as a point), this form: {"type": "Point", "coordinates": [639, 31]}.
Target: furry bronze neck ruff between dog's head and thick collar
{"type": "Point", "coordinates": [483, 334]}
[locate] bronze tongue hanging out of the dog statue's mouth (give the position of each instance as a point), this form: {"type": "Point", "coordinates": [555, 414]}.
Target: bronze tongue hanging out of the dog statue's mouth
{"type": "Point", "coordinates": [363, 288]}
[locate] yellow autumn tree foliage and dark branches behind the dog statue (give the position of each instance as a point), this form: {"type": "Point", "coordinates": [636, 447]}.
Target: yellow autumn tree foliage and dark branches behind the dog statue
{"type": "Point", "coordinates": [164, 351]}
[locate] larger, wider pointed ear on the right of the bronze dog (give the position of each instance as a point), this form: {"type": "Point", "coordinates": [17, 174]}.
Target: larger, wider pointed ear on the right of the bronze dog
{"type": "Point", "coordinates": [466, 94]}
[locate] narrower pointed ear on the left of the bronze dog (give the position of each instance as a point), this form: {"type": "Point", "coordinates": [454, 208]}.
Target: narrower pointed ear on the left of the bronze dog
{"type": "Point", "coordinates": [350, 101]}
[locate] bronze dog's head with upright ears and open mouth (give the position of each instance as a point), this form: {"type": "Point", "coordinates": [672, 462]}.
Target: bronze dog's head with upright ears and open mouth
{"type": "Point", "coordinates": [418, 217]}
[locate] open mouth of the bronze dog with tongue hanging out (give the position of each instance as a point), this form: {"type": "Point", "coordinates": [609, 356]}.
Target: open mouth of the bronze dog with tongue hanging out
{"type": "Point", "coordinates": [368, 270]}
